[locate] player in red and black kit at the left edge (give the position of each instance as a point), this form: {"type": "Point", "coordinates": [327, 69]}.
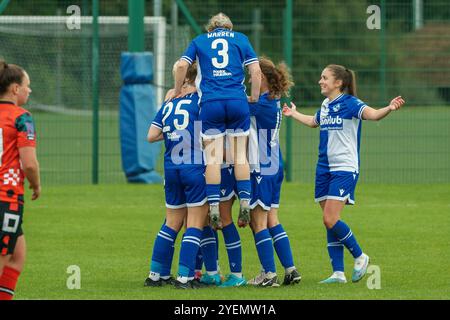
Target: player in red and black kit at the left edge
{"type": "Point", "coordinates": [17, 161]}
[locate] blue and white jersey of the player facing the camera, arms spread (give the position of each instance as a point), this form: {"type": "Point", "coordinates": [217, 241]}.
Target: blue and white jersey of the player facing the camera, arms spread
{"type": "Point", "coordinates": [340, 133]}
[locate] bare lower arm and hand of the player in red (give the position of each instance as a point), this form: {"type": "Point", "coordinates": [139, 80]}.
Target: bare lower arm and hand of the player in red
{"type": "Point", "coordinates": [30, 167]}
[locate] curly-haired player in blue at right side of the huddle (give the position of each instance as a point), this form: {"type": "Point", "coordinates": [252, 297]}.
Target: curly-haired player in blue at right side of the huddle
{"type": "Point", "coordinates": [266, 166]}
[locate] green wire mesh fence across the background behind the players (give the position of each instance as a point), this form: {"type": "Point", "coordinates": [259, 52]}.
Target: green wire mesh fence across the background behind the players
{"type": "Point", "coordinates": [408, 55]}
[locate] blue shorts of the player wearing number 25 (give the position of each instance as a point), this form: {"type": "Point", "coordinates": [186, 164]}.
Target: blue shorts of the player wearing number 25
{"type": "Point", "coordinates": [185, 187]}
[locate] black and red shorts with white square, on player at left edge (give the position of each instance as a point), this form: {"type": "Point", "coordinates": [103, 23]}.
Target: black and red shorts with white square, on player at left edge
{"type": "Point", "coordinates": [11, 215]}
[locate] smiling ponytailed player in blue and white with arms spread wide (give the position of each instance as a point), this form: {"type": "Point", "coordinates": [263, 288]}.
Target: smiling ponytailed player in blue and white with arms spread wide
{"type": "Point", "coordinates": [339, 119]}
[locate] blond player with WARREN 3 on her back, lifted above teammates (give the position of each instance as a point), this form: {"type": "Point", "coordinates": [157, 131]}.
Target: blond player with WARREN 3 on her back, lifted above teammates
{"type": "Point", "coordinates": [222, 55]}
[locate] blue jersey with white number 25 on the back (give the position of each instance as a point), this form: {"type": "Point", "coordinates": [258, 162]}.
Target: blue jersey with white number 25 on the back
{"type": "Point", "coordinates": [178, 120]}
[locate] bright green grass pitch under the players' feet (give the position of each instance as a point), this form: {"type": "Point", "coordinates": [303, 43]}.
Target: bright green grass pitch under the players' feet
{"type": "Point", "coordinates": [108, 231]}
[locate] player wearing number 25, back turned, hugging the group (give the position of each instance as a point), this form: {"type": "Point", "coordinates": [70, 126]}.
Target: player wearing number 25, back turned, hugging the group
{"type": "Point", "coordinates": [184, 184]}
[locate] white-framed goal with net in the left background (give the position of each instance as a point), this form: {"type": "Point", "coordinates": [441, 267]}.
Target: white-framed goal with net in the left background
{"type": "Point", "coordinates": [59, 60]}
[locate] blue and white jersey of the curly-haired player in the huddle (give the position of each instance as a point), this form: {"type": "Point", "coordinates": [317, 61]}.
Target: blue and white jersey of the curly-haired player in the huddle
{"type": "Point", "coordinates": [264, 142]}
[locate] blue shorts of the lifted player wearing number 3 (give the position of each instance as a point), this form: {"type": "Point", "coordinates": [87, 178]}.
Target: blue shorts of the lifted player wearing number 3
{"type": "Point", "coordinates": [220, 117]}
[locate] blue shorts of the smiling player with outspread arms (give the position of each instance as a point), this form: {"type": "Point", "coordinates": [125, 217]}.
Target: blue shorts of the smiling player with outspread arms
{"type": "Point", "coordinates": [336, 185]}
